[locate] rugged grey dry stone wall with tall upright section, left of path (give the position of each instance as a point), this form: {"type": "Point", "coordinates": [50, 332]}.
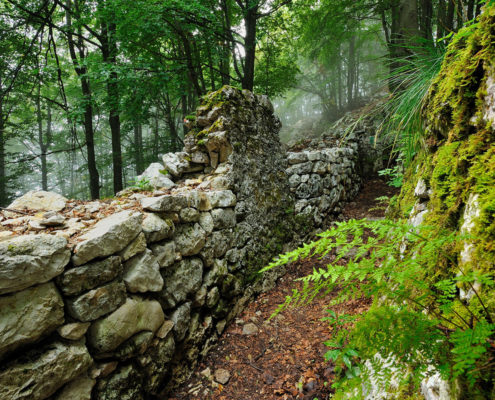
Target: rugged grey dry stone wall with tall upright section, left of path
{"type": "Point", "coordinates": [119, 299]}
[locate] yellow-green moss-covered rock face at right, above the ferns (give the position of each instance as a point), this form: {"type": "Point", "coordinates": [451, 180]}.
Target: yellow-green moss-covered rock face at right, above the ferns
{"type": "Point", "coordinates": [458, 162]}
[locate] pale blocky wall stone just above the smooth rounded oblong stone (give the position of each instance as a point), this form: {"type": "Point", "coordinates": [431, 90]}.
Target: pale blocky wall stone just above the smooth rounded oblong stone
{"type": "Point", "coordinates": [142, 273]}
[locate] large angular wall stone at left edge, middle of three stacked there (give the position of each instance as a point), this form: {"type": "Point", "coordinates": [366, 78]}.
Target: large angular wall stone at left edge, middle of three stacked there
{"type": "Point", "coordinates": [29, 315]}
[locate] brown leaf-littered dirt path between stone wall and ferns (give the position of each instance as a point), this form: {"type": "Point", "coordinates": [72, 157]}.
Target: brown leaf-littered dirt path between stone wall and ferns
{"type": "Point", "coordinates": [281, 358]}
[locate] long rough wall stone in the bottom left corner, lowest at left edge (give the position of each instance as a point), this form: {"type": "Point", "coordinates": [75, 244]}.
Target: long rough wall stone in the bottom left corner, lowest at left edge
{"type": "Point", "coordinates": [41, 372]}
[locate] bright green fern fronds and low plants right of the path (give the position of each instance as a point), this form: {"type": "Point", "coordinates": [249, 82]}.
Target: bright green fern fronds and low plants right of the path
{"type": "Point", "coordinates": [416, 323]}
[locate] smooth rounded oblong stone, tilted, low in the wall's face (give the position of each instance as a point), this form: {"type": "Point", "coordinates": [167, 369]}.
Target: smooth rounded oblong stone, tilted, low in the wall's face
{"type": "Point", "coordinates": [134, 316]}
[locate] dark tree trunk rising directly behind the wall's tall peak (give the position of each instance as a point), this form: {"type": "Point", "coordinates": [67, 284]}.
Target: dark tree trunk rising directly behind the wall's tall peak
{"type": "Point", "coordinates": [250, 21]}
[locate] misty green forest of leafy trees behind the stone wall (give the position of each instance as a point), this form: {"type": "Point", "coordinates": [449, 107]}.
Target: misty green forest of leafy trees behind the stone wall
{"type": "Point", "coordinates": [92, 91]}
